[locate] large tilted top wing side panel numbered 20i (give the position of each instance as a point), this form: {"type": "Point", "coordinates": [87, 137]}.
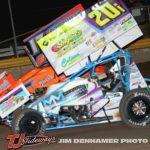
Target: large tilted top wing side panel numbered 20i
{"type": "Point", "coordinates": [88, 32]}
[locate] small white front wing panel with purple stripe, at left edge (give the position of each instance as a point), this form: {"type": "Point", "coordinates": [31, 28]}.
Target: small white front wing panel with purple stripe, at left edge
{"type": "Point", "coordinates": [13, 100]}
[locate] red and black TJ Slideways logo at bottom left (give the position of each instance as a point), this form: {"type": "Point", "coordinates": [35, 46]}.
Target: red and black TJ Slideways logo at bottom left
{"type": "Point", "coordinates": [18, 140]}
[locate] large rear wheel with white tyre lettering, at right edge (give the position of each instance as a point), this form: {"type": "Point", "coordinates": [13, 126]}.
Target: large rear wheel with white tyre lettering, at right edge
{"type": "Point", "coordinates": [135, 108]}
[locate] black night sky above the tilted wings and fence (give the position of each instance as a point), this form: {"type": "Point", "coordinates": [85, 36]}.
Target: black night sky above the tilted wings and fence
{"type": "Point", "coordinates": [32, 14]}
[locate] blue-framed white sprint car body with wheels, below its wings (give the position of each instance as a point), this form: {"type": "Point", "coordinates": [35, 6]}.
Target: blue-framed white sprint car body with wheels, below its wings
{"type": "Point", "coordinates": [122, 93]}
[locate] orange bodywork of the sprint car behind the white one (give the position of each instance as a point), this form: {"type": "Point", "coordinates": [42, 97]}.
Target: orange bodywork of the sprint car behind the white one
{"type": "Point", "coordinates": [36, 80]}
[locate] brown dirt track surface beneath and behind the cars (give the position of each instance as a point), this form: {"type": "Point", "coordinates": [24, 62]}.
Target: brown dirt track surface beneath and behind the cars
{"type": "Point", "coordinates": [108, 131]}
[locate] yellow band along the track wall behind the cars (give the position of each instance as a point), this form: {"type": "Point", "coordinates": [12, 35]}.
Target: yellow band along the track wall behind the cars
{"type": "Point", "coordinates": [23, 61]}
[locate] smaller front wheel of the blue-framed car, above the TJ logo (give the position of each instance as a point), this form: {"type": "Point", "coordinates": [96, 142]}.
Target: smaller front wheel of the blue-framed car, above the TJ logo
{"type": "Point", "coordinates": [30, 122]}
